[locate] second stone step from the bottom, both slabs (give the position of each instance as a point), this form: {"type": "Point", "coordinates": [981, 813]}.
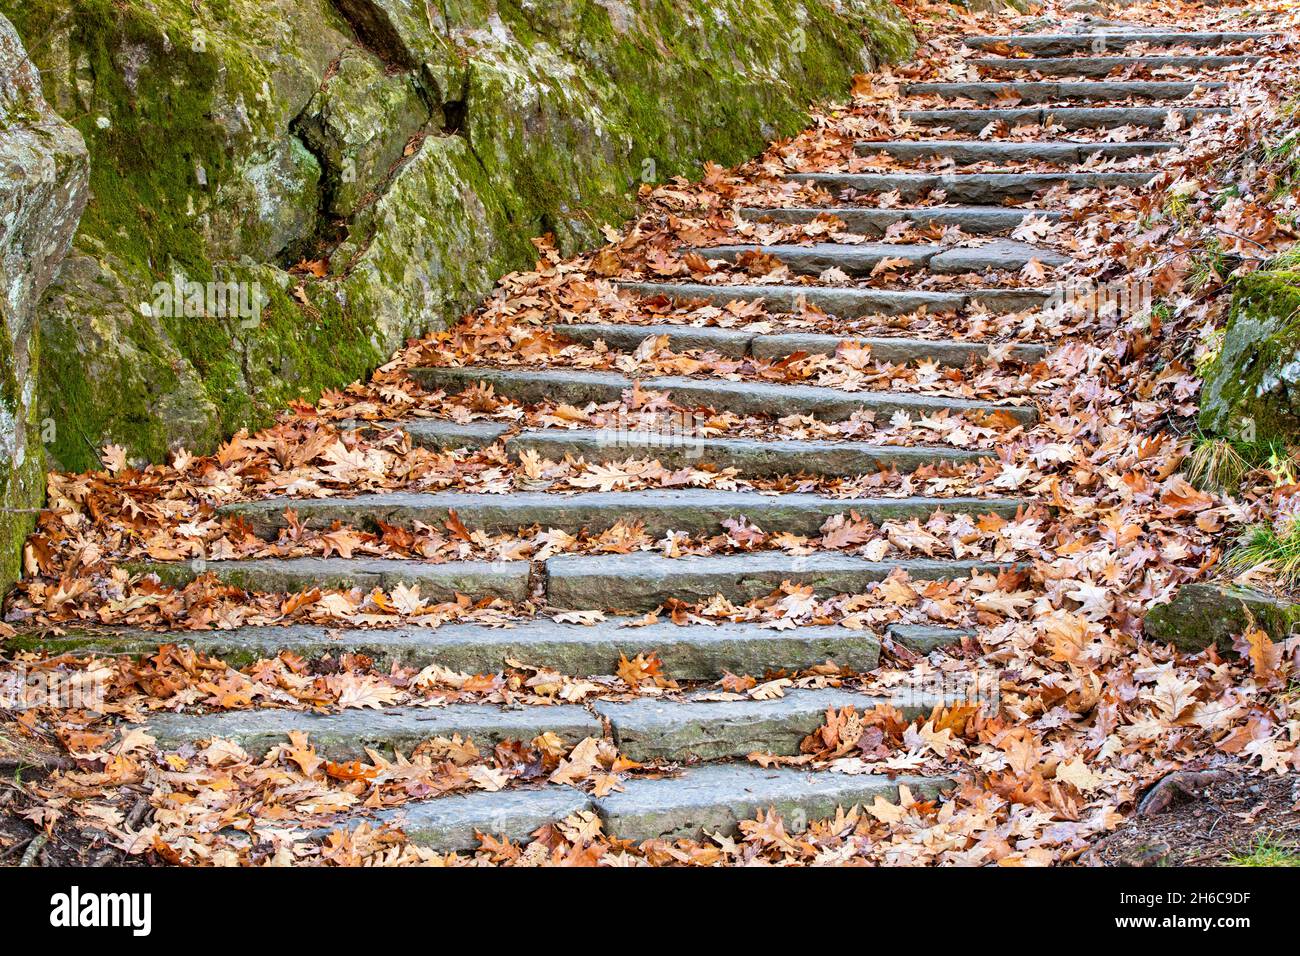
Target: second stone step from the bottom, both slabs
{"type": "Point", "coordinates": [644, 730]}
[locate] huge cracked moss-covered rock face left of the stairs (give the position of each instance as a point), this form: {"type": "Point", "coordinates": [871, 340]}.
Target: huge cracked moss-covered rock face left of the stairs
{"type": "Point", "coordinates": [414, 148]}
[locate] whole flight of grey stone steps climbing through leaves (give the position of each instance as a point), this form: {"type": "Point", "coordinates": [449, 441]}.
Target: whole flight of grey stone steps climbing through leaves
{"type": "Point", "coordinates": [712, 738]}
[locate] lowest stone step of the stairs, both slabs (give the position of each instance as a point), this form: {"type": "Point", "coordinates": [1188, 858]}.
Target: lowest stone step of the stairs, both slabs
{"type": "Point", "coordinates": [710, 799]}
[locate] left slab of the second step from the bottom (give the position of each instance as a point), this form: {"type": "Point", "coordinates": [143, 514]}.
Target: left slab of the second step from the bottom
{"type": "Point", "coordinates": [348, 734]}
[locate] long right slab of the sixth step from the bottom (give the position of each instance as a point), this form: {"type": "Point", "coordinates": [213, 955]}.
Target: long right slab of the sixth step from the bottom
{"type": "Point", "coordinates": [751, 457]}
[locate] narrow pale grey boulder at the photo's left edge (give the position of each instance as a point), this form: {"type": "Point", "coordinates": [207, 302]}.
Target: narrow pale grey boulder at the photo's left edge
{"type": "Point", "coordinates": [44, 191]}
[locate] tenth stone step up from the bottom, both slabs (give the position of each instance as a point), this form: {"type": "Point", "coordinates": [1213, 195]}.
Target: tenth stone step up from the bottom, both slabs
{"type": "Point", "coordinates": [860, 261]}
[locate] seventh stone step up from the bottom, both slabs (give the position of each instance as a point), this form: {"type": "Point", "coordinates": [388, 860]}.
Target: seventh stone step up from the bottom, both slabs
{"type": "Point", "coordinates": [579, 387]}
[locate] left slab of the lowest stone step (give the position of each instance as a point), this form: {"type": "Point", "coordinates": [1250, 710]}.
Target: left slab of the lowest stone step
{"type": "Point", "coordinates": [449, 824]}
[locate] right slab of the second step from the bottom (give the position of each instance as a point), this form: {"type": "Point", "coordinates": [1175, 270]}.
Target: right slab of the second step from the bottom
{"type": "Point", "coordinates": [695, 730]}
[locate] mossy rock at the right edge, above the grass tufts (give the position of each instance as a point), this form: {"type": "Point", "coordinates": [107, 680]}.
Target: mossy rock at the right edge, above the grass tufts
{"type": "Point", "coordinates": [1253, 387]}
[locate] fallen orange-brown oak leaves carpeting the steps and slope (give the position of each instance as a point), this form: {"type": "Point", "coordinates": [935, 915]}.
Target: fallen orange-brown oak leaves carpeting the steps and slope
{"type": "Point", "coordinates": [1086, 716]}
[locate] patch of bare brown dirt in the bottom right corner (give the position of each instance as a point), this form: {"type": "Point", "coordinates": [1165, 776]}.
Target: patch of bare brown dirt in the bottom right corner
{"type": "Point", "coordinates": [1210, 828]}
